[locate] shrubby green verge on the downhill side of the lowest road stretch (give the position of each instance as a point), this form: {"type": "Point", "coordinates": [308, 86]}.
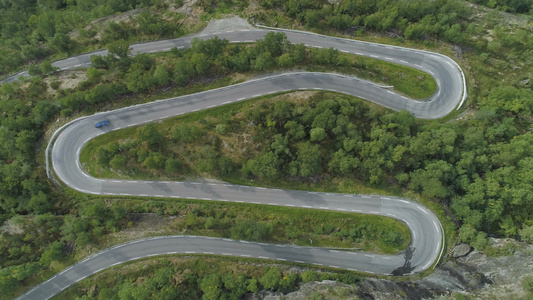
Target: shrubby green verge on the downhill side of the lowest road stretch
{"type": "Point", "coordinates": [235, 275]}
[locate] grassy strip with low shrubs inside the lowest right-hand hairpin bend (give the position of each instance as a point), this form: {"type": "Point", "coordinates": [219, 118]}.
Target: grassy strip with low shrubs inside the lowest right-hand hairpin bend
{"type": "Point", "coordinates": [252, 222]}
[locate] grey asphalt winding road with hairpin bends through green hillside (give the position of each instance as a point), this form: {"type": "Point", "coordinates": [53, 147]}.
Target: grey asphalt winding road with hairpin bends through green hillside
{"type": "Point", "coordinates": [426, 231]}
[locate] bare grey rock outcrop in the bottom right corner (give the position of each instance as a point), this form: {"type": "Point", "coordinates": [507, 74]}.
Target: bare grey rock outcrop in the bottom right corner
{"type": "Point", "coordinates": [475, 274]}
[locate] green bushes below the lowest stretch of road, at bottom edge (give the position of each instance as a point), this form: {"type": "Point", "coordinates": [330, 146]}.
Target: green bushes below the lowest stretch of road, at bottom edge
{"type": "Point", "coordinates": [197, 277]}
